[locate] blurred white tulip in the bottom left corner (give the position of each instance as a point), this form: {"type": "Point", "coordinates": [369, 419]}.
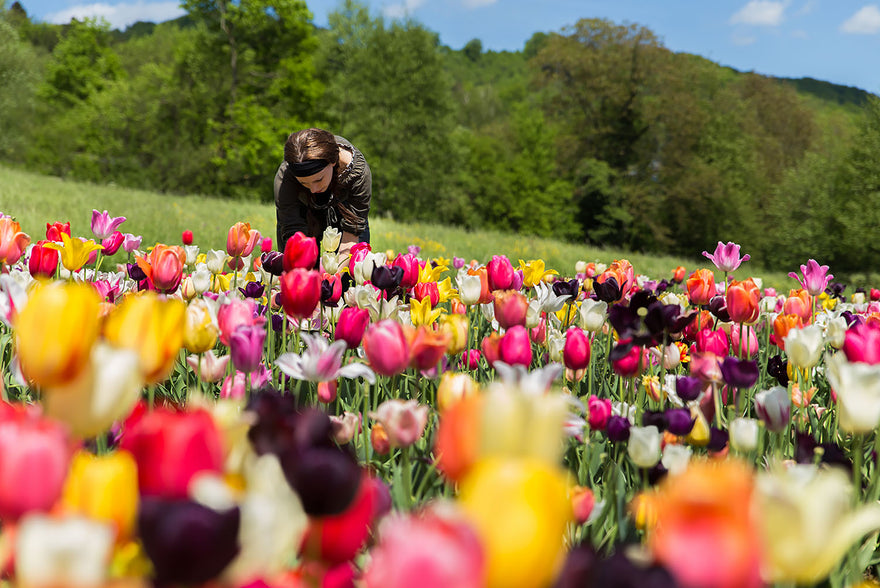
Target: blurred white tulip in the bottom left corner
{"type": "Point", "coordinates": [69, 551]}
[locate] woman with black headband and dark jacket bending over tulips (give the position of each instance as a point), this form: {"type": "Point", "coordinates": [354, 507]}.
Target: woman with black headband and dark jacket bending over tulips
{"type": "Point", "coordinates": [323, 182]}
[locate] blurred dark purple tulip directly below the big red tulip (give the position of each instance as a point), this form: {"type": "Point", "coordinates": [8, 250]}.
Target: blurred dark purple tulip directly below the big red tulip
{"type": "Point", "coordinates": [187, 542]}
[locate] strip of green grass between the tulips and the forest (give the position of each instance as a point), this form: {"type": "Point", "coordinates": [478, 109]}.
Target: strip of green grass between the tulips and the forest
{"type": "Point", "coordinates": [35, 200]}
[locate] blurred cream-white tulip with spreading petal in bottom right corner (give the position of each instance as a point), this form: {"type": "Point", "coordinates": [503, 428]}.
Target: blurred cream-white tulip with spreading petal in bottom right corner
{"type": "Point", "coordinates": [809, 522]}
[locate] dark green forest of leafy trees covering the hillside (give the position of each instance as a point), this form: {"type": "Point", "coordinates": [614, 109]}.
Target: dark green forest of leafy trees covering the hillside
{"type": "Point", "coordinates": [594, 133]}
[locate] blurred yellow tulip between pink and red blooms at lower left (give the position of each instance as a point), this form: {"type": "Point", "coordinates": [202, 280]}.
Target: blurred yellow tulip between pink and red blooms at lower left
{"type": "Point", "coordinates": [105, 489]}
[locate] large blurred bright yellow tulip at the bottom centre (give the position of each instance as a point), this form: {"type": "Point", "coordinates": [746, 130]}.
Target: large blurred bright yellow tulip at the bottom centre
{"type": "Point", "coordinates": [520, 509]}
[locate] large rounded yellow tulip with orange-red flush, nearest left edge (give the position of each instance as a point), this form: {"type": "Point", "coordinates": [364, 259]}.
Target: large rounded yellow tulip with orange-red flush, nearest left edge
{"type": "Point", "coordinates": [55, 332]}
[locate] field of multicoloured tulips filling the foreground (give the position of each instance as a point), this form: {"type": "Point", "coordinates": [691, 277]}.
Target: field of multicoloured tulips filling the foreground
{"type": "Point", "coordinates": [301, 416]}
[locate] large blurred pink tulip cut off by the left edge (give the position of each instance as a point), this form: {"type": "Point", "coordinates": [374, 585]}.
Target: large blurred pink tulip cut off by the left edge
{"type": "Point", "coordinates": [36, 456]}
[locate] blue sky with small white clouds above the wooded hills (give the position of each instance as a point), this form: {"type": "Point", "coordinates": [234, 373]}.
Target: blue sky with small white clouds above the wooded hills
{"type": "Point", "coordinates": [832, 40]}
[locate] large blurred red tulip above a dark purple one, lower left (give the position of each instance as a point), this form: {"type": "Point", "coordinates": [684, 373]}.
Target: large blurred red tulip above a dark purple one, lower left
{"type": "Point", "coordinates": [171, 448]}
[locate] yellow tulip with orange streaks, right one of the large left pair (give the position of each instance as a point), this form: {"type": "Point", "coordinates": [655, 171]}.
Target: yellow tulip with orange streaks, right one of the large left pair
{"type": "Point", "coordinates": [151, 325]}
